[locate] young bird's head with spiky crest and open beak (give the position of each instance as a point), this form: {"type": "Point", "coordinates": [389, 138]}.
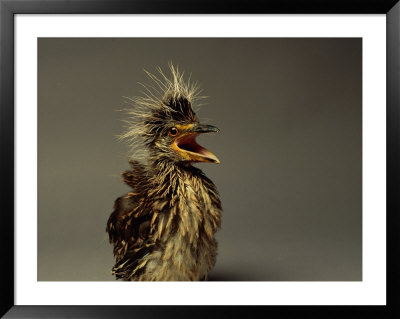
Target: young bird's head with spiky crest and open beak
{"type": "Point", "coordinates": [164, 122]}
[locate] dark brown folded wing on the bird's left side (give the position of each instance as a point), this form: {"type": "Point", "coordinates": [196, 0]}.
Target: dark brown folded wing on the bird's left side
{"type": "Point", "coordinates": [129, 224]}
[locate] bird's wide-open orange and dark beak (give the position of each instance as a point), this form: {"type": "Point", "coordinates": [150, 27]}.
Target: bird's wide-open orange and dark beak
{"type": "Point", "coordinates": [187, 146]}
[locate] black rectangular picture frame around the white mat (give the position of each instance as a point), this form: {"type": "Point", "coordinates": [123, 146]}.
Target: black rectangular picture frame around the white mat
{"type": "Point", "coordinates": [8, 10]}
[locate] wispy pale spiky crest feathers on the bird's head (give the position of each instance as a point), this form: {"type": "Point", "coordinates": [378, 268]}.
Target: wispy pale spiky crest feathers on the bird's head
{"type": "Point", "coordinates": [159, 103]}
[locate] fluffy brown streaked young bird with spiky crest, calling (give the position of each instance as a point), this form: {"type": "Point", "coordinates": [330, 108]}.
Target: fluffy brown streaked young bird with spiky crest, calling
{"type": "Point", "coordinates": [164, 228]}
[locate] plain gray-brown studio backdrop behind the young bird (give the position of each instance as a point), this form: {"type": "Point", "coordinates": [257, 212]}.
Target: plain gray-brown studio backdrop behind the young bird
{"type": "Point", "coordinates": [289, 111]}
